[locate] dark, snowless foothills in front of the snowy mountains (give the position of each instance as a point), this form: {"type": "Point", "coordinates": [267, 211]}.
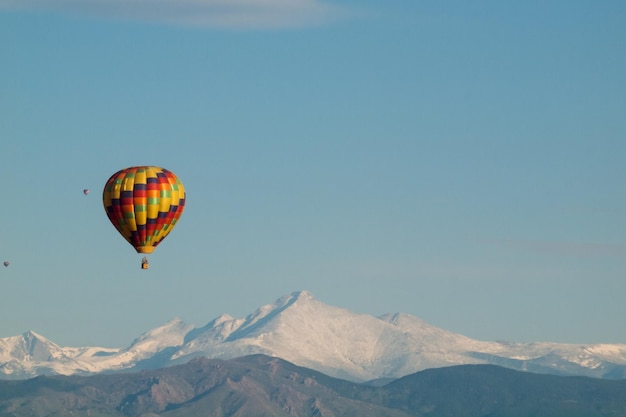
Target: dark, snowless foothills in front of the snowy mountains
{"type": "Point", "coordinates": [261, 386]}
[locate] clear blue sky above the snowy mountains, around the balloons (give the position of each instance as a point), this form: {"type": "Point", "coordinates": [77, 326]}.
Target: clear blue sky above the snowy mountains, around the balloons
{"type": "Point", "coordinates": [463, 162]}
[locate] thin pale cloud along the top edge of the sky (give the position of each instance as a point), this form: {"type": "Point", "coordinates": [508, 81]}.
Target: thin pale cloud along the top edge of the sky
{"type": "Point", "coordinates": [234, 14]}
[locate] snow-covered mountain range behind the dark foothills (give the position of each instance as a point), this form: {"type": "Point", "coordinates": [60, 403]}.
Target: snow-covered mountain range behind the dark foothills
{"type": "Point", "coordinates": [307, 332]}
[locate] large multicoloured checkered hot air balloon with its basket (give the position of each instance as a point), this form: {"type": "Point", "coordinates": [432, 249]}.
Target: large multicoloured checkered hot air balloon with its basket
{"type": "Point", "coordinates": [144, 204]}
